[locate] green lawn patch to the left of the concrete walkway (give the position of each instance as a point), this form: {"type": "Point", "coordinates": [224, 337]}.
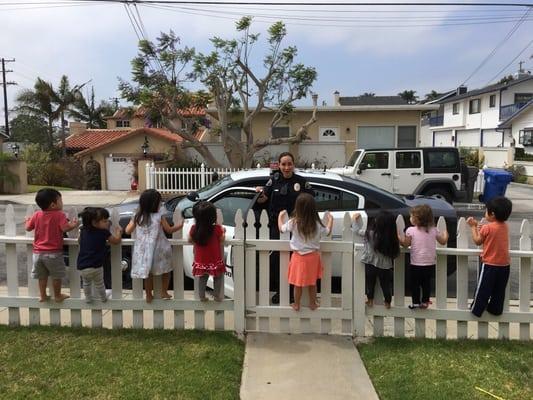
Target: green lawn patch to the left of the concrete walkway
{"type": "Point", "coordinates": [66, 363]}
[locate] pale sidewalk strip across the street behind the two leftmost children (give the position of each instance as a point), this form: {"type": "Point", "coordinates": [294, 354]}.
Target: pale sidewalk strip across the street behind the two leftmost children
{"type": "Point", "coordinates": [99, 198]}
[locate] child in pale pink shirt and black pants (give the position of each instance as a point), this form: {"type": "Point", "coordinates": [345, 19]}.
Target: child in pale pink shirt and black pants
{"type": "Point", "coordinates": [421, 237]}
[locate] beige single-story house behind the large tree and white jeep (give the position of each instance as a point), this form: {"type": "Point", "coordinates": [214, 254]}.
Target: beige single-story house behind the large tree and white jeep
{"type": "Point", "coordinates": [350, 123]}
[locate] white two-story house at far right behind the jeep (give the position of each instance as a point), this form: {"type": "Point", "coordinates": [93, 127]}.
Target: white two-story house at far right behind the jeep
{"type": "Point", "coordinates": [498, 115]}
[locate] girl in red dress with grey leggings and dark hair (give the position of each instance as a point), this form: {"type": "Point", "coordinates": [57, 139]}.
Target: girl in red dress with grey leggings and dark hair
{"type": "Point", "coordinates": [207, 237]}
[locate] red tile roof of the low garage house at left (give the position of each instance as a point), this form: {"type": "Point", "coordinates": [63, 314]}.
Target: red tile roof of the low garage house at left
{"type": "Point", "coordinates": [94, 139]}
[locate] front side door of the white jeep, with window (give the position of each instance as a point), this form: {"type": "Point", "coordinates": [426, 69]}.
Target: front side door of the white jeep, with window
{"type": "Point", "coordinates": [375, 168]}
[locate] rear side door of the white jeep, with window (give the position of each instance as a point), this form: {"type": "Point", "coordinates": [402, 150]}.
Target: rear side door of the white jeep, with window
{"type": "Point", "coordinates": [408, 172]}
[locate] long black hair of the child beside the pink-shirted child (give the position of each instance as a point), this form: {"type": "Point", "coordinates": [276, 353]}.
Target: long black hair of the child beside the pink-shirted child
{"type": "Point", "coordinates": [383, 234]}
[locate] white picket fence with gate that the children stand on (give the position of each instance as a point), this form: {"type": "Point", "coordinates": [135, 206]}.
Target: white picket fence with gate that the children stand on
{"type": "Point", "coordinates": [250, 309]}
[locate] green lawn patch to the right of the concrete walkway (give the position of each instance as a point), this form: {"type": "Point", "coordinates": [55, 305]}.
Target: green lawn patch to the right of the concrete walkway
{"type": "Point", "coordinates": [437, 369]}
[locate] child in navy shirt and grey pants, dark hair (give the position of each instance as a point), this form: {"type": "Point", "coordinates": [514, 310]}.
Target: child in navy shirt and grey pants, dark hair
{"type": "Point", "coordinates": [94, 235]}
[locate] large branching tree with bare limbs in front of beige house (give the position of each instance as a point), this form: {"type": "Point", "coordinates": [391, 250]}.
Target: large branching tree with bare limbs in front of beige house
{"type": "Point", "coordinates": [239, 91]}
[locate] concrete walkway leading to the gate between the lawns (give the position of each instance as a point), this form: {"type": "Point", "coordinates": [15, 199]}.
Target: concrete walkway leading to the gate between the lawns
{"type": "Point", "coordinates": [283, 366]}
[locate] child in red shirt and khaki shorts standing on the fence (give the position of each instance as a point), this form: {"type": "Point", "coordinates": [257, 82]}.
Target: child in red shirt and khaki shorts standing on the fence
{"type": "Point", "coordinates": [49, 224]}
